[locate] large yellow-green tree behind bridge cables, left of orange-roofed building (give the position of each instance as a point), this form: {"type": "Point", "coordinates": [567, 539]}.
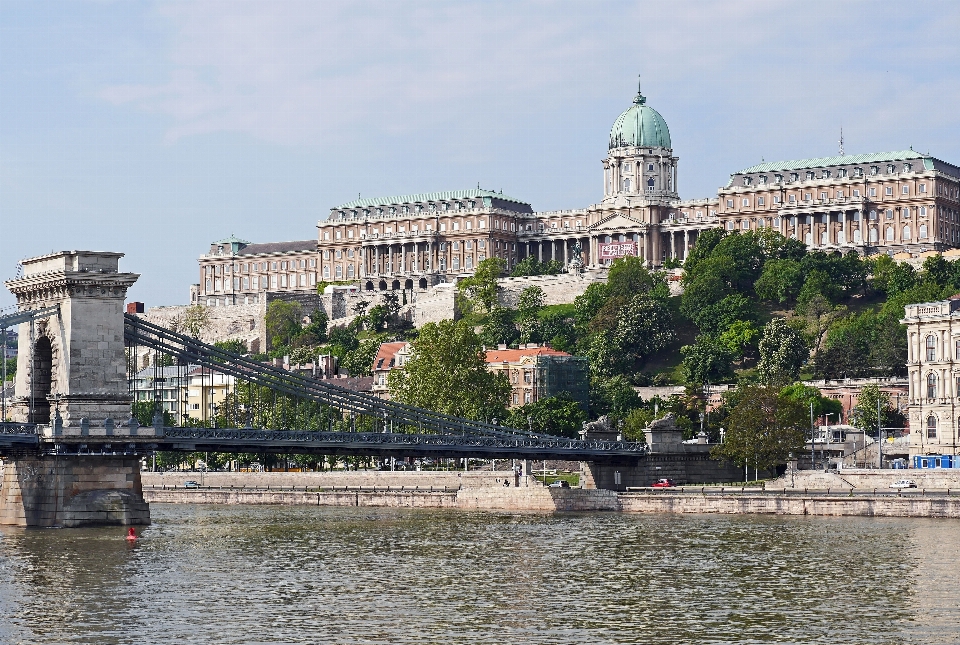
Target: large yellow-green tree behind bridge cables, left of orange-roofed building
{"type": "Point", "coordinates": [447, 372]}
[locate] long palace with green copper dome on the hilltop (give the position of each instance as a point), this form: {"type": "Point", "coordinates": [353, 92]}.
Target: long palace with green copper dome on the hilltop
{"type": "Point", "coordinates": [885, 202]}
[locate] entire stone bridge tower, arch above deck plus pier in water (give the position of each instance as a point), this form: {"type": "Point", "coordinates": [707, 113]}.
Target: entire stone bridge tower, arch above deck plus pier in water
{"type": "Point", "coordinates": [71, 362]}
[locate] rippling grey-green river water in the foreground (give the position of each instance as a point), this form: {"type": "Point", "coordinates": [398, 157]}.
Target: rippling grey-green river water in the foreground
{"type": "Point", "coordinates": [245, 574]}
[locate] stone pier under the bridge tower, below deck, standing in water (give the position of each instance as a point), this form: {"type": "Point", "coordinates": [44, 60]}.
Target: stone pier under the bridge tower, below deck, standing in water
{"type": "Point", "coordinates": [72, 491]}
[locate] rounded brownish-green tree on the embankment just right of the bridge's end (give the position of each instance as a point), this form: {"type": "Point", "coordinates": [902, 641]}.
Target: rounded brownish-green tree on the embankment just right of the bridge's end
{"type": "Point", "coordinates": [764, 429]}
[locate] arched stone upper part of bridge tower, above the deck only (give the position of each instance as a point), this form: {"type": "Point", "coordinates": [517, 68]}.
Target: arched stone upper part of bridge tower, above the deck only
{"type": "Point", "coordinates": [72, 362]}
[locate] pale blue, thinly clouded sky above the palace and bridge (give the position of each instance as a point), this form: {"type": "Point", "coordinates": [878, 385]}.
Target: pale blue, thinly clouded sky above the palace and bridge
{"type": "Point", "coordinates": [156, 128]}
